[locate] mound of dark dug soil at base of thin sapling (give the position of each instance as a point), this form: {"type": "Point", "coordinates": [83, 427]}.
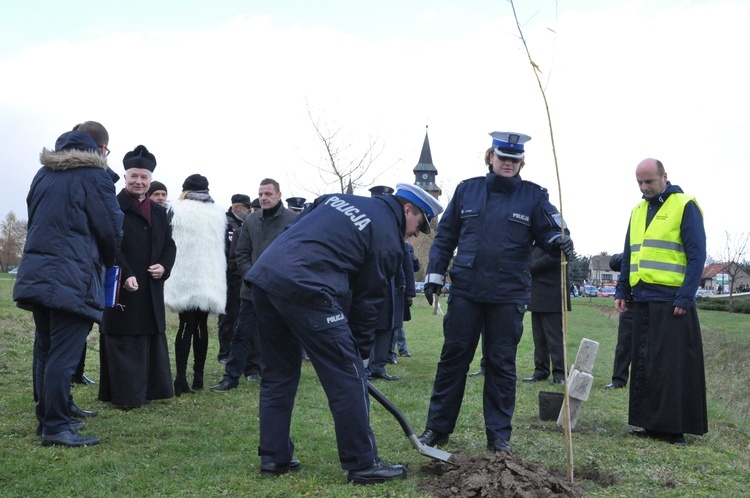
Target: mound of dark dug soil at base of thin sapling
{"type": "Point", "coordinates": [494, 475]}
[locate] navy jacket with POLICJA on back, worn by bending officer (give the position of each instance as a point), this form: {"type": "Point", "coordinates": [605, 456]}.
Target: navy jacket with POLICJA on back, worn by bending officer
{"type": "Point", "coordinates": [341, 243]}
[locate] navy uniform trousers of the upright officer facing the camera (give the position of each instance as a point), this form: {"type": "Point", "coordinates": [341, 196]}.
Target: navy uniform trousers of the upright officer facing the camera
{"type": "Point", "coordinates": [462, 327]}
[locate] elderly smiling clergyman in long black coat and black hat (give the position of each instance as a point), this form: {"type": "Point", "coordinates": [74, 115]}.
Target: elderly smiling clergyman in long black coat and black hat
{"type": "Point", "coordinates": [134, 356]}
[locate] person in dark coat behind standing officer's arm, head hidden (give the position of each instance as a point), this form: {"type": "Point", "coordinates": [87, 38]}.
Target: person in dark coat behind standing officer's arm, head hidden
{"type": "Point", "coordinates": [546, 317]}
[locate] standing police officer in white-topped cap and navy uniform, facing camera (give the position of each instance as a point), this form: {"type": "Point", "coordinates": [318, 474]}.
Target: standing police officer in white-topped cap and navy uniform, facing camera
{"type": "Point", "coordinates": [493, 221]}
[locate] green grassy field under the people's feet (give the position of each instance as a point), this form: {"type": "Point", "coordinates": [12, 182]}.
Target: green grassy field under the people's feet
{"type": "Point", "coordinates": [206, 444]}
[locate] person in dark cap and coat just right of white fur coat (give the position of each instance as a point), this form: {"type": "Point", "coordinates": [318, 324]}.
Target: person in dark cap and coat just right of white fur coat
{"type": "Point", "coordinates": [236, 215]}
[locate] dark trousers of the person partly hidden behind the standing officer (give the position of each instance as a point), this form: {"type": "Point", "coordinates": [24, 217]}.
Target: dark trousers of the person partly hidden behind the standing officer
{"type": "Point", "coordinates": [548, 344]}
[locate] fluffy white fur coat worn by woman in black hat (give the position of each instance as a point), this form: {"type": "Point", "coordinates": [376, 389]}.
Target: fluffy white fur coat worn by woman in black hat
{"type": "Point", "coordinates": [198, 279]}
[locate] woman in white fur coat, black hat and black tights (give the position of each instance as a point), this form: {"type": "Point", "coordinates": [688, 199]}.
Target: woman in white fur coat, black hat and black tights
{"type": "Point", "coordinates": [197, 287]}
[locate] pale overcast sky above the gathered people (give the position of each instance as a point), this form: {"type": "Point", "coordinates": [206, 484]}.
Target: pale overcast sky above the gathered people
{"type": "Point", "coordinates": [223, 89]}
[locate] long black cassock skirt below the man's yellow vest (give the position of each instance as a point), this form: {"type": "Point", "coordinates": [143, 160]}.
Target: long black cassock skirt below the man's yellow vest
{"type": "Point", "coordinates": [667, 376]}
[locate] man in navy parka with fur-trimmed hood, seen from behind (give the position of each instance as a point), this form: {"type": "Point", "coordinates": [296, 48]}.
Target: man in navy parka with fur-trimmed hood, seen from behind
{"type": "Point", "coordinates": [73, 233]}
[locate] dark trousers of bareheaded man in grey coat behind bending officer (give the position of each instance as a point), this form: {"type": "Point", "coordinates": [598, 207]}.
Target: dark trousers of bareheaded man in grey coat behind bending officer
{"type": "Point", "coordinates": [244, 353]}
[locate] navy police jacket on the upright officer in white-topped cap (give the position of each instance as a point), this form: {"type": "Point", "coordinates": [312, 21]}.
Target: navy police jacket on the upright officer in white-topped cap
{"type": "Point", "coordinates": [493, 222]}
